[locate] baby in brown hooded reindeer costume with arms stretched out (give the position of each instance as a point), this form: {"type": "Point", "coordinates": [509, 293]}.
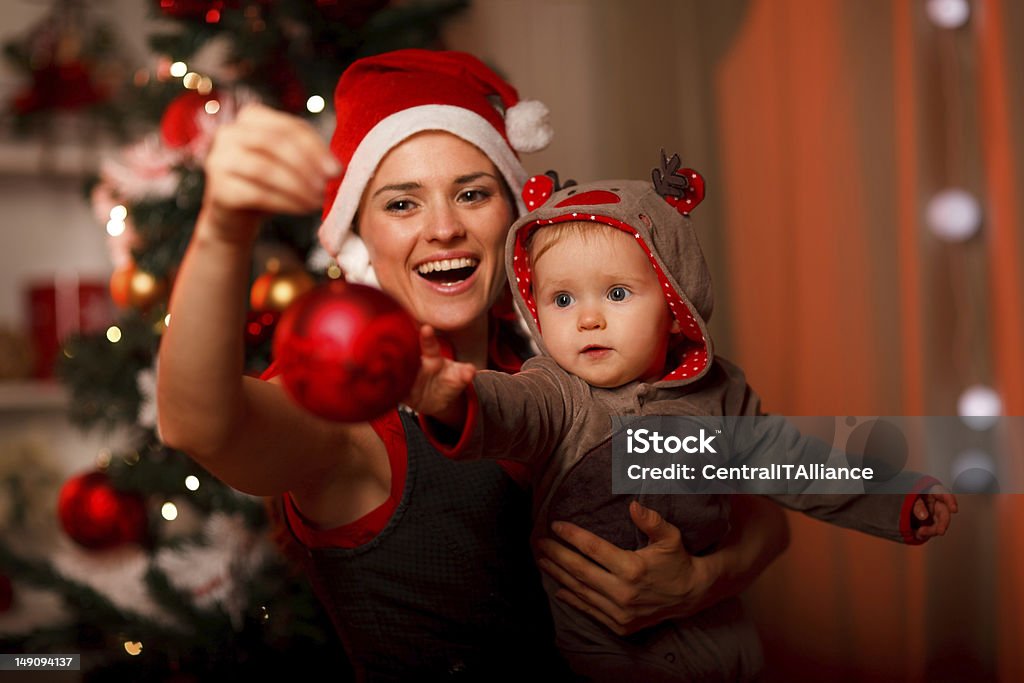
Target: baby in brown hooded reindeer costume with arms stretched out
{"type": "Point", "coordinates": [613, 283]}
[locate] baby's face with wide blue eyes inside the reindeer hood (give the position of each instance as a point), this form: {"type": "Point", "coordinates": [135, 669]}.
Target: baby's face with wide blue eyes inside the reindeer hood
{"type": "Point", "coordinates": [601, 308]}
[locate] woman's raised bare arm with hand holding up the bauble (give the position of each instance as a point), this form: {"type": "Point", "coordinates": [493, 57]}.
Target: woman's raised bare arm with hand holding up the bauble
{"type": "Point", "coordinates": [244, 431]}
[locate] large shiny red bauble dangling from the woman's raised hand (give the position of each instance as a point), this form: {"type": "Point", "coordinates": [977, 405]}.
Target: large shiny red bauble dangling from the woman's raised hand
{"type": "Point", "coordinates": [348, 353]}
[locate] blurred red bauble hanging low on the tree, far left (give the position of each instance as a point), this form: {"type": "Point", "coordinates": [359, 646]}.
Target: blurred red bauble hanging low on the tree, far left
{"type": "Point", "coordinates": [98, 517]}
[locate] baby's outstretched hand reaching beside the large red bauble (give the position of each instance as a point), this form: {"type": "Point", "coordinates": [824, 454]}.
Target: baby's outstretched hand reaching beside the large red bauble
{"type": "Point", "coordinates": [440, 391]}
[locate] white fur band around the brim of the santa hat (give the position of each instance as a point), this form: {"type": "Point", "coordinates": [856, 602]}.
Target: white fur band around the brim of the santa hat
{"type": "Point", "coordinates": [336, 233]}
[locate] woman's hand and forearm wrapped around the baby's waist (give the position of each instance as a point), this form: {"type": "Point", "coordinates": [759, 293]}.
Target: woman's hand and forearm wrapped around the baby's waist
{"type": "Point", "coordinates": [631, 590]}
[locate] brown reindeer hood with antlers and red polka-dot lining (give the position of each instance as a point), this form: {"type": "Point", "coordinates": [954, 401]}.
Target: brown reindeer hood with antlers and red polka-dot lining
{"type": "Point", "coordinates": [657, 215]}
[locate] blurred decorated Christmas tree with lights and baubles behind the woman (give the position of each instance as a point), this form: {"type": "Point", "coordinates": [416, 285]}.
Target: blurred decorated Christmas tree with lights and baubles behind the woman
{"type": "Point", "coordinates": [162, 572]}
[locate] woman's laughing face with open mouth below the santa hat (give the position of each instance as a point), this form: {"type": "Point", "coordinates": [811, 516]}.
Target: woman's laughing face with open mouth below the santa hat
{"type": "Point", "coordinates": [435, 219]}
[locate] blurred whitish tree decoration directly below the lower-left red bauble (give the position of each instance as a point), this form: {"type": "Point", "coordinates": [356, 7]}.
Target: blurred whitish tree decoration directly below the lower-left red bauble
{"type": "Point", "coordinates": [118, 574]}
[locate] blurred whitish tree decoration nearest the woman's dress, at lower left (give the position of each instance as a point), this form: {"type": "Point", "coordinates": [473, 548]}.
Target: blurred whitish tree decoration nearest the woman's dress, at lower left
{"type": "Point", "coordinates": [216, 574]}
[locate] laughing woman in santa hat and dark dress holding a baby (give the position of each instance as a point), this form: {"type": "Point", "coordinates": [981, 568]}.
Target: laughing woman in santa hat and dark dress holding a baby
{"type": "Point", "coordinates": [422, 564]}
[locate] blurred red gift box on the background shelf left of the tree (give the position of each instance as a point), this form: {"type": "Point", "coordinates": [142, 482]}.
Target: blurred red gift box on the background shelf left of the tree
{"type": "Point", "coordinates": [61, 308]}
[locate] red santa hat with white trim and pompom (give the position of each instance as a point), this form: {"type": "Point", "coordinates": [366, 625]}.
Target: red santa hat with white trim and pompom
{"type": "Point", "coordinates": [383, 100]}
